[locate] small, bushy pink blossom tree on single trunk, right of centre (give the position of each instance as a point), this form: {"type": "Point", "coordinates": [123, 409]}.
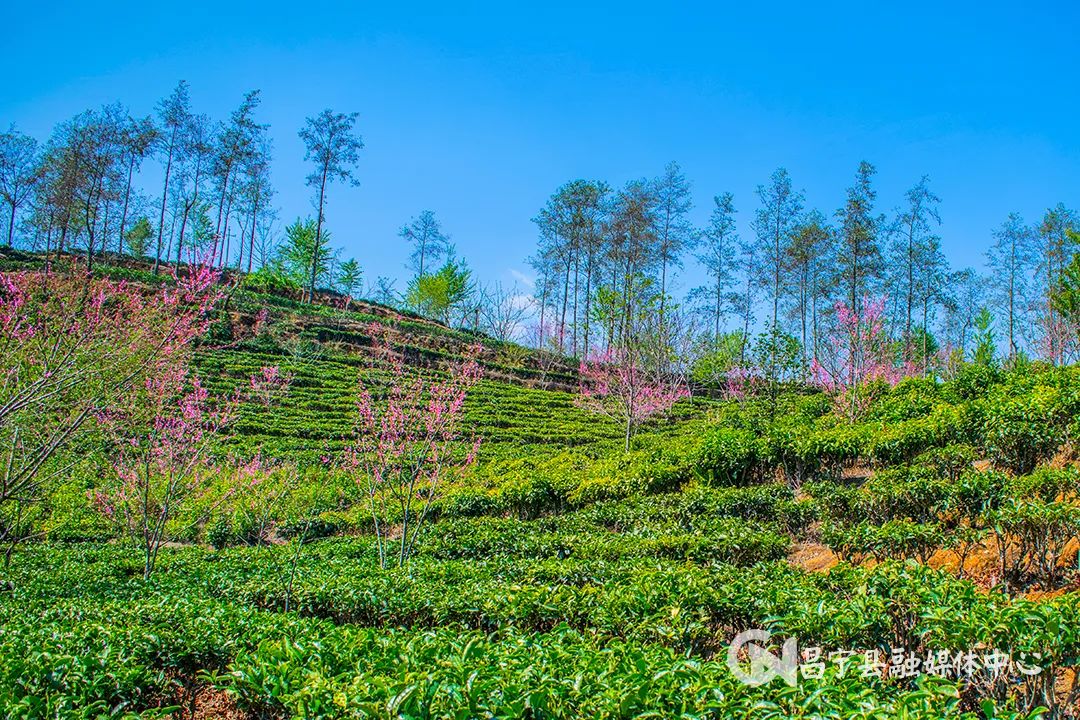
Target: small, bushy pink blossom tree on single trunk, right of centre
{"type": "Point", "coordinates": [617, 385]}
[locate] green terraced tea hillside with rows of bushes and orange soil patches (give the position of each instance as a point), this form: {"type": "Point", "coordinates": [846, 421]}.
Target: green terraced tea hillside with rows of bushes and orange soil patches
{"type": "Point", "coordinates": [933, 539]}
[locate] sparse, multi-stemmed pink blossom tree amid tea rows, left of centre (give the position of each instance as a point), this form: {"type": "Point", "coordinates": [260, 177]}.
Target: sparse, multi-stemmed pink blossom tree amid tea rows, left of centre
{"type": "Point", "coordinates": [408, 440]}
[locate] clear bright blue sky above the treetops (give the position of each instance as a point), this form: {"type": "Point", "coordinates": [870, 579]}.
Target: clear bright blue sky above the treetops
{"type": "Point", "coordinates": [480, 111]}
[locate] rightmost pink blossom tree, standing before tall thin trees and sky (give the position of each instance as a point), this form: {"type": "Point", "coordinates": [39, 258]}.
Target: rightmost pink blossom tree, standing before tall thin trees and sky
{"type": "Point", "coordinates": [861, 358]}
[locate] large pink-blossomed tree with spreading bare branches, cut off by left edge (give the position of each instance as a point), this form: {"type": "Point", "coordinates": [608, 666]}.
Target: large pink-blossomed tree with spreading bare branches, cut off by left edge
{"type": "Point", "coordinates": [72, 347]}
